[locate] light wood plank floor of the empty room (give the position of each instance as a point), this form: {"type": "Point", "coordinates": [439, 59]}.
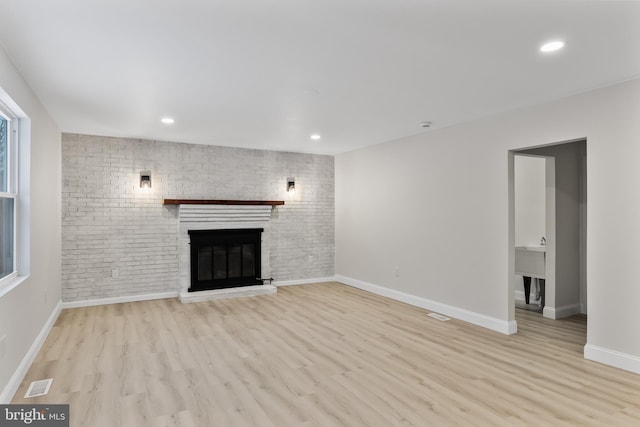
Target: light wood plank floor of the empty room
{"type": "Point", "coordinates": [322, 355]}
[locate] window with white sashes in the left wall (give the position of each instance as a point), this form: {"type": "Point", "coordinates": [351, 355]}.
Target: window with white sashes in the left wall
{"type": "Point", "coordinates": [8, 195]}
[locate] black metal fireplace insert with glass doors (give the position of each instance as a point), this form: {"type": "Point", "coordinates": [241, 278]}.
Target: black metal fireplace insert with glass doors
{"type": "Point", "coordinates": [226, 258]}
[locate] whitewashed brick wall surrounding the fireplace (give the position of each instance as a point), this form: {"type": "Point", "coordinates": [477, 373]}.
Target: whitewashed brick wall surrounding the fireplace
{"type": "Point", "coordinates": [119, 240]}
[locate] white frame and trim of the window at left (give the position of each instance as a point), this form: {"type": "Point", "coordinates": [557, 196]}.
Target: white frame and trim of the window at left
{"type": "Point", "coordinates": [12, 188]}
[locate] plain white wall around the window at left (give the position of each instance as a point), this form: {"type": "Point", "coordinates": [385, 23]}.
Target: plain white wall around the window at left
{"type": "Point", "coordinates": [25, 310]}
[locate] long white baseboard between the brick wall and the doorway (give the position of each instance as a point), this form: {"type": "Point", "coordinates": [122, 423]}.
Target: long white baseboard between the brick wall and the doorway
{"type": "Point", "coordinates": [502, 326]}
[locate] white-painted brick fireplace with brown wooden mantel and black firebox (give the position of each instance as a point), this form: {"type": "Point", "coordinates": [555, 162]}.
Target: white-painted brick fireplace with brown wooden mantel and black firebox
{"type": "Point", "coordinates": [198, 222]}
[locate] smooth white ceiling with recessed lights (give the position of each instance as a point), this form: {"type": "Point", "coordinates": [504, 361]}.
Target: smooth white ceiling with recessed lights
{"type": "Point", "coordinates": [267, 74]}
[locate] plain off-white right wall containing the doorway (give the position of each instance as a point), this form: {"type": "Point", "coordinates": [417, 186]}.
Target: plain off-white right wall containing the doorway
{"type": "Point", "coordinates": [436, 205]}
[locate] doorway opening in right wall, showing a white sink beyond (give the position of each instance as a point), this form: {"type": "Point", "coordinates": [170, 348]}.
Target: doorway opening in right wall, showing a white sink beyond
{"type": "Point", "coordinates": [548, 215]}
